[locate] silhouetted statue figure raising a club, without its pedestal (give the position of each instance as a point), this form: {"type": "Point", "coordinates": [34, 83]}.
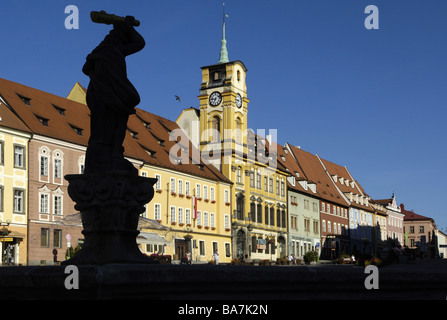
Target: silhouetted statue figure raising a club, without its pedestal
{"type": "Point", "coordinates": [111, 97]}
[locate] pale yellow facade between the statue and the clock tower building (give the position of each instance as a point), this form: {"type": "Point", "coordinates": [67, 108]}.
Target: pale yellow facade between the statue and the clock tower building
{"type": "Point", "coordinates": [195, 213]}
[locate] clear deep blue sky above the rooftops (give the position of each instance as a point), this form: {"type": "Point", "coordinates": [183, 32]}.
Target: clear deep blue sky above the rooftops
{"type": "Point", "coordinates": [373, 100]}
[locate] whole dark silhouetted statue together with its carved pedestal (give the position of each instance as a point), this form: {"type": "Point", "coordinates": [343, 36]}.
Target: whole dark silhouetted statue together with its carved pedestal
{"type": "Point", "coordinates": [109, 194]}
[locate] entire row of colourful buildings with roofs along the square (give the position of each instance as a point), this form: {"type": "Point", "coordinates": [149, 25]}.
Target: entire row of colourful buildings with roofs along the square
{"type": "Point", "coordinates": [221, 187]}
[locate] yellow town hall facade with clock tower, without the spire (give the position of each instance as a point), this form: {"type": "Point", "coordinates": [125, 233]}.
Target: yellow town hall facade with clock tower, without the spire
{"type": "Point", "coordinates": [247, 158]}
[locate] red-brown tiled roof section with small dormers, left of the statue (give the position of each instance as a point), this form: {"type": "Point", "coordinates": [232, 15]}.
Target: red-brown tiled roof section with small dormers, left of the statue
{"type": "Point", "coordinates": [47, 114]}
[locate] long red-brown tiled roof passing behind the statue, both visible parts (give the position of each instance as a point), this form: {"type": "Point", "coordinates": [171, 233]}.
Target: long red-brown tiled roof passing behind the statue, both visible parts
{"type": "Point", "coordinates": [147, 138]}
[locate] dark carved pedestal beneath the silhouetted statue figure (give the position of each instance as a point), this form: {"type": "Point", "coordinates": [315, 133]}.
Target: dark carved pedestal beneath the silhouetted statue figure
{"type": "Point", "coordinates": [110, 204]}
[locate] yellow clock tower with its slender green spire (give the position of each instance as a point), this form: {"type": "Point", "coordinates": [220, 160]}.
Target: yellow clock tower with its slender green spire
{"type": "Point", "coordinates": [223, 111]}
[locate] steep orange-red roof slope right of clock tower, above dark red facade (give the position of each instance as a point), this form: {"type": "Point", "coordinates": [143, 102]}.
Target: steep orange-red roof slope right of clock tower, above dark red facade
{"type": "Point", "coordinates": [315, 172]}
